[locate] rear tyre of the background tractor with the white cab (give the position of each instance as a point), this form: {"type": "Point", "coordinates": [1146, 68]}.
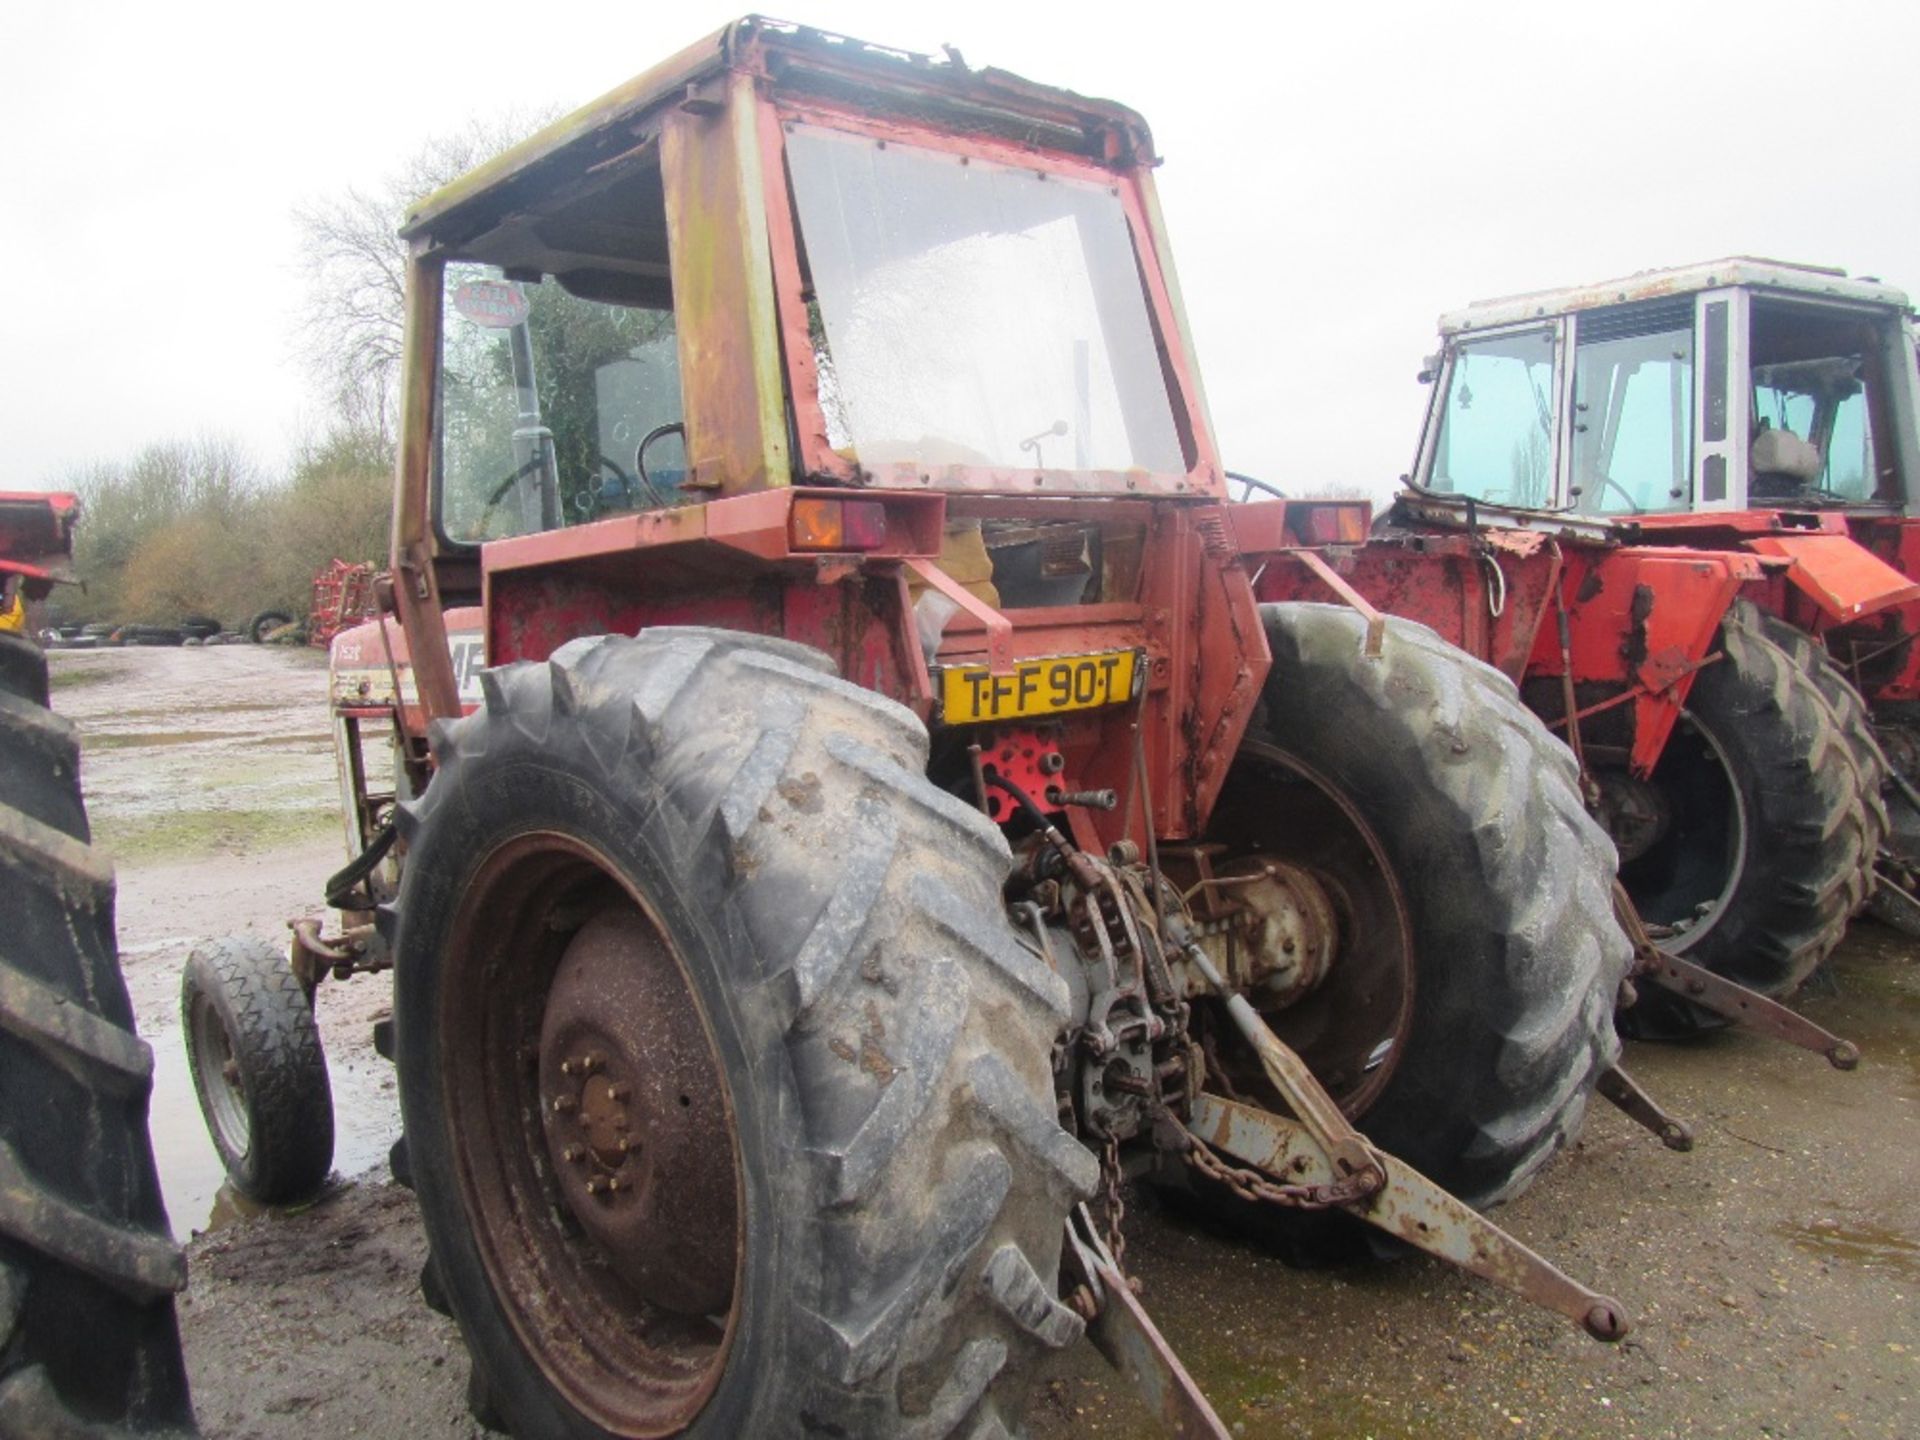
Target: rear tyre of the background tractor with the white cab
{"type": "Point", "coordinates": [1767, 830]}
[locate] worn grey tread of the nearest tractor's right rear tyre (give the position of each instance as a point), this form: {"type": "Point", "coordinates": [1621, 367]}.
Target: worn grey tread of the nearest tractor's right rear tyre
{"type": "Point", "coordinates": [1545, 901]}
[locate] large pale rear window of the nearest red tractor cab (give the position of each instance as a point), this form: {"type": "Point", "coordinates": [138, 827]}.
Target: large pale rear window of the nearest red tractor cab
{"type": "Point", "coordinates": [974, 314]}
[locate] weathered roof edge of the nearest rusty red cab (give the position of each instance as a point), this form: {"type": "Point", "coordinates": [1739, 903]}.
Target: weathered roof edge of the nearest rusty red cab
{"type": "Point", "coordinates": [804, 59]}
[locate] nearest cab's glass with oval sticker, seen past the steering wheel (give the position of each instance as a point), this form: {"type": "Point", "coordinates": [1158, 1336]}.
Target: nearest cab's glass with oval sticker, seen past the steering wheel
{"type": "Point", "coordinates": [544, 404]}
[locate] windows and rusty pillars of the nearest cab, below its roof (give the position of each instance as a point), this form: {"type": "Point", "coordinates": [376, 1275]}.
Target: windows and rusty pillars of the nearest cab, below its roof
{"type": "Point", "coordinates": [900, 314]}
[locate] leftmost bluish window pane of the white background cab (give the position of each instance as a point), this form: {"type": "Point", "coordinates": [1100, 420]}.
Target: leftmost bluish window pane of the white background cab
{"type": "Point", "coordinates": [1497, 421]}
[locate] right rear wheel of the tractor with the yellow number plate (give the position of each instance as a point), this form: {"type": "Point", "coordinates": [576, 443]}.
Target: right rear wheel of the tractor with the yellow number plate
{"type": "Point", "coordinates": [1468, 1011]}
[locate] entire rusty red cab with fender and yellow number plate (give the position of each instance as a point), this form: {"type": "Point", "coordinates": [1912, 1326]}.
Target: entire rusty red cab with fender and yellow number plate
{"type": "Point", "coordinates": [863, 350]}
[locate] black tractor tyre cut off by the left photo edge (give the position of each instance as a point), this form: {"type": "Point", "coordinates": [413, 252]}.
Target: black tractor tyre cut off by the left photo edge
{"type": "Point", "coordinates": [89, 1343]}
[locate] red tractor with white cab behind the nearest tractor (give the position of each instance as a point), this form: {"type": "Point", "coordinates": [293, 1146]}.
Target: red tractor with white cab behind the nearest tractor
{"type": "Point", "coordinates": [1673, 512]}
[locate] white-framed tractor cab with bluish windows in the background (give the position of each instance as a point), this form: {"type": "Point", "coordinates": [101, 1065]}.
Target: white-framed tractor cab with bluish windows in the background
{"type": "Point", "coordinates": [1740, 385]}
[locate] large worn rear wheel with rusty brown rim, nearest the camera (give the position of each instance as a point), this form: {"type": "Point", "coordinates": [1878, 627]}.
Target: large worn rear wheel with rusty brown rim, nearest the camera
{"type": "Point", "coordinates": [727, 1080]}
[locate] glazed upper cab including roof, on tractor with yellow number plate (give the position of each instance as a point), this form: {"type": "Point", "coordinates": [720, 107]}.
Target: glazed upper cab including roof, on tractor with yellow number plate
{"type": "Point", "coordinates": [788, 260]}
